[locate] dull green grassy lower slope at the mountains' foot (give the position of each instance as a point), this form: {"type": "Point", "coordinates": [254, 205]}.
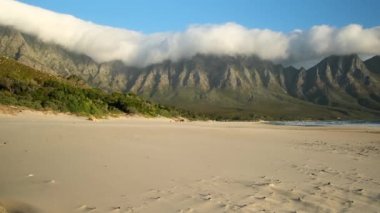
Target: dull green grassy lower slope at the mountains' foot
{"type": "Point", "coordinates": [223, 104]}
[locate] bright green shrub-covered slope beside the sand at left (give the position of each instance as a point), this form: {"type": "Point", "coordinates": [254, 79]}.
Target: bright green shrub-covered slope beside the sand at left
{"type": "Point", "coordinates": [21, 85]}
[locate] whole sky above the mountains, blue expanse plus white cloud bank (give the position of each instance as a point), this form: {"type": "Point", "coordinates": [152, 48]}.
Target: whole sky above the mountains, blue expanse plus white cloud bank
{"type": "Point", "coordinates": [172, 30]}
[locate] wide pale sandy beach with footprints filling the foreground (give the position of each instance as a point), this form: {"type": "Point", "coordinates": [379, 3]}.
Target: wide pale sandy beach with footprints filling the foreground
{"type": "Point", "coordinates": [62, 164]}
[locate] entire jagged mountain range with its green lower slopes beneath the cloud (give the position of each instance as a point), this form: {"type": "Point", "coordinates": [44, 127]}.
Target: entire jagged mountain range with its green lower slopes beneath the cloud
{"type": "Point", "coordinates": [232, 87]}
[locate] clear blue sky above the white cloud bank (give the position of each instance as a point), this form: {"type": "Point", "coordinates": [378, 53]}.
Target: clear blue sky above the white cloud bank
{"type": "Point", "coordinates": [151, 16]}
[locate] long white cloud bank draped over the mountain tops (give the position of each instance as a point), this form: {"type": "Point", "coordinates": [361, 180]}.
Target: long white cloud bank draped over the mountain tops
{"type": "Point", "coordinates": [104, 43]}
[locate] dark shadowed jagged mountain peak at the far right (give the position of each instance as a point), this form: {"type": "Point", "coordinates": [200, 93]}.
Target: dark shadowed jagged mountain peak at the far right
{"type": "Point", "coordinates": [340, 80]}
